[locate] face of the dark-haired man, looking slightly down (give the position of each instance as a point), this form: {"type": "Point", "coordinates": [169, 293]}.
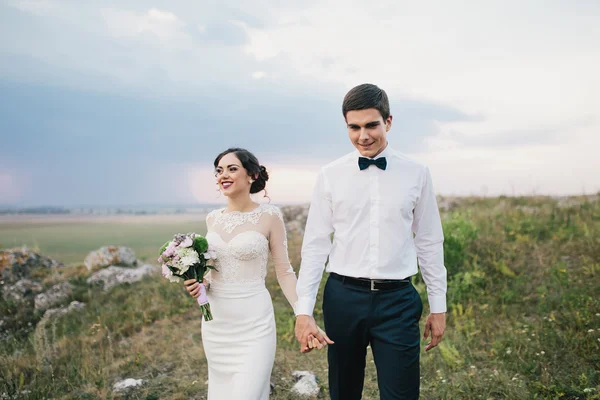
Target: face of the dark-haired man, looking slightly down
{"type": "Point", "coordinates": [367, 131]}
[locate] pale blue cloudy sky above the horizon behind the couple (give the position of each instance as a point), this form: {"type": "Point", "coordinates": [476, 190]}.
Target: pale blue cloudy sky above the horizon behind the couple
{"type": "Point", "coordinates": [128, 102]}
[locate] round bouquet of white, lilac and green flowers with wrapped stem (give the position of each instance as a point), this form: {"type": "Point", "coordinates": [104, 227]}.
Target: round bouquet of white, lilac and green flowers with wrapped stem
{"type": "Point", "coordinates": [188, 257]}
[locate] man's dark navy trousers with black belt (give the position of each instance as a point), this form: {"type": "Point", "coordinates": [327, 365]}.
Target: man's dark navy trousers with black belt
{"type": "Point", "coordinates": [388, 321]}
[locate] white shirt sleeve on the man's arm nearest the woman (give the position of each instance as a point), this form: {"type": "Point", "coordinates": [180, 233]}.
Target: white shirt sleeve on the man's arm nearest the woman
{"type": "Point", "coordinates": [316, 246]}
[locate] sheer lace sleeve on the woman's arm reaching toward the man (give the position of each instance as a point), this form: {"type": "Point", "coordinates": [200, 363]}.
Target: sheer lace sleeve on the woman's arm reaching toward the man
{"type": "Point", "coordinates": [278, 245]}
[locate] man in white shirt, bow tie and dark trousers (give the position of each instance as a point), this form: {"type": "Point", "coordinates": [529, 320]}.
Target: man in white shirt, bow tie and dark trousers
{"type": "Point", "coordinates": [381, 209]}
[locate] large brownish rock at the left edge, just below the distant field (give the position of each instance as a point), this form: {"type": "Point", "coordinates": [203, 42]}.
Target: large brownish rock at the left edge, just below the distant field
{"type": "Point", "coordinates": [17, 264]}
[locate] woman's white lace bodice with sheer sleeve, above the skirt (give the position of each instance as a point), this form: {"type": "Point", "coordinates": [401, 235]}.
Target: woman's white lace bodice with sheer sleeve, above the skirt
{"type": "Point", "coordinates": [242, 241]}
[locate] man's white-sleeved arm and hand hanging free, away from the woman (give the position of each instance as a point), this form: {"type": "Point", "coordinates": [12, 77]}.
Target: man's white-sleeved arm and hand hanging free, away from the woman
{"type": "Point", "coordinates": [429, 243]}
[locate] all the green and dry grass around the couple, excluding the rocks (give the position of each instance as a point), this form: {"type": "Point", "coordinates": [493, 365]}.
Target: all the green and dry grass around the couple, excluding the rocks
{"type": "Point", "coordinates": [523, 320]}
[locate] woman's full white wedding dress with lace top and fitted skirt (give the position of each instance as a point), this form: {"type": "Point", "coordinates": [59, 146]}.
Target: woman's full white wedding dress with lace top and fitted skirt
{"type": "Point", "coordinates": [240, 341]}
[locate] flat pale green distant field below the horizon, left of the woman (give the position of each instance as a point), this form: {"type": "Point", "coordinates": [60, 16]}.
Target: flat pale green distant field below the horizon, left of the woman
{"type": "Point", "coordinates": [69, 239]}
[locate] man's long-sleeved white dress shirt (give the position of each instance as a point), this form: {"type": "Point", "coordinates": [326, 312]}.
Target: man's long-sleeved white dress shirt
{"type": "Point", "coordinates": [382, 222]}
